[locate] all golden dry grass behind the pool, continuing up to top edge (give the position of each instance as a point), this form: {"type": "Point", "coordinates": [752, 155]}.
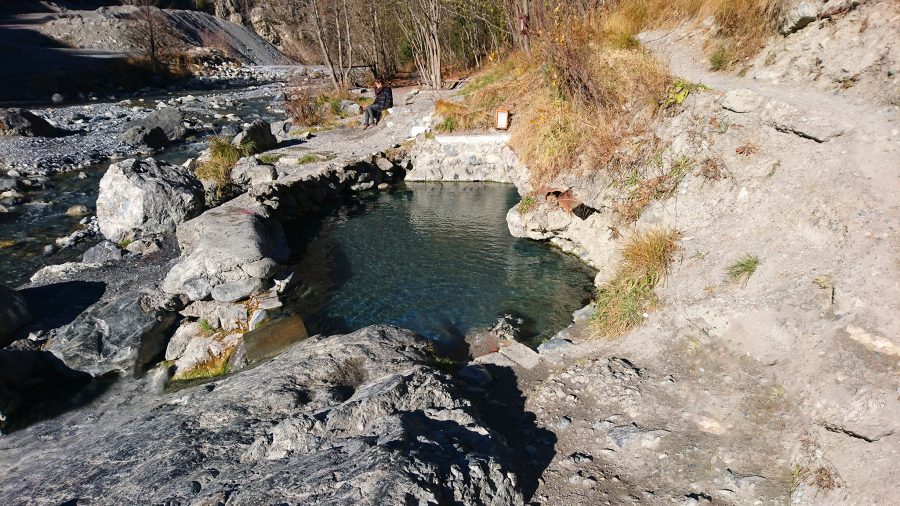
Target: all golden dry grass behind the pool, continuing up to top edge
{"type": "Point", "coordinates": [586, 95]}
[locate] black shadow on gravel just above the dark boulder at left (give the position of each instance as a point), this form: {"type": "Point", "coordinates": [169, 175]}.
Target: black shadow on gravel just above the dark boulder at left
{"type": "Point", "coordinates": [59, 304]}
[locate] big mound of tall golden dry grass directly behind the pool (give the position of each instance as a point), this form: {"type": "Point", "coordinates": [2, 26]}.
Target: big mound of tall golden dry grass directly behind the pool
{"type": "Point", "coordinates": [564, 93]}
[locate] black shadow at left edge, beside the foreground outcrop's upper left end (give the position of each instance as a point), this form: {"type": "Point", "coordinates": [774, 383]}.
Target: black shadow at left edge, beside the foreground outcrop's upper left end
{"type": "Point", "coordinates": [36, 386]}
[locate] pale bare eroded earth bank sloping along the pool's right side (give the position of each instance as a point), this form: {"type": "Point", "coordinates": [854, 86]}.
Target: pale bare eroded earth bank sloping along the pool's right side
{"type": "Point", "coordinates": [766, 371]}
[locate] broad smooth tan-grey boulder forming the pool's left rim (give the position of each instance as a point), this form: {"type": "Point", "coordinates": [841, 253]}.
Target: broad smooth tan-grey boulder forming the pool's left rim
{"type": "Point", "coordinates": [228, 252]}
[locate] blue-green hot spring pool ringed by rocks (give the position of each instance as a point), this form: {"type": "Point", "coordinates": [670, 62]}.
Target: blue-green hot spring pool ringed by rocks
{"type": "Point", "coordinates": [436, 258]}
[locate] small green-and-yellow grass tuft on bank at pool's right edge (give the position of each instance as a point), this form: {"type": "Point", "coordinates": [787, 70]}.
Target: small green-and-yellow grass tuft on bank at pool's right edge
{"type": "Point", "coordinates": [622, 302]}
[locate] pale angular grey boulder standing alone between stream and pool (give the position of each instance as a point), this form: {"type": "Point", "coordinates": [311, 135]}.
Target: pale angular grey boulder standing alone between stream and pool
{"type": "Point", "coordinates": [145, 197]}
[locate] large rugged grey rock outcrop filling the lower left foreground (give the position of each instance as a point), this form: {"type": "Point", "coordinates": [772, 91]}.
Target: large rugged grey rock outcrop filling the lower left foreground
{"type": "Point", "coordinates": [354, 419]}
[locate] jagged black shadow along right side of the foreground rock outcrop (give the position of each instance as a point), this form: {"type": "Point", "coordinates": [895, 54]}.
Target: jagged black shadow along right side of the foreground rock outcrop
{"type": "Point", "coordinates": [502, 408]}
